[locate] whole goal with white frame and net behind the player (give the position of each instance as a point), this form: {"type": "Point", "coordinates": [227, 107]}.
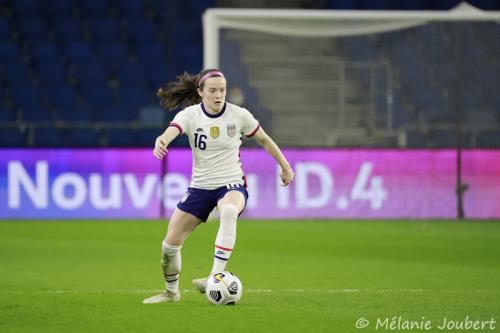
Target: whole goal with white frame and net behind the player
{"type": "Point", "coordinates": [363, 79]}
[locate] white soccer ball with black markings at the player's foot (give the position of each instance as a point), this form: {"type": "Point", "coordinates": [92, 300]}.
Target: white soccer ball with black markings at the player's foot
{"type": "Point", "coordinates": [224, 288]}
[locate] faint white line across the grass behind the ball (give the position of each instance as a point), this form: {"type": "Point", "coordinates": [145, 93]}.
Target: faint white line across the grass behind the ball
{"type": "Point", "coordinates": [252, 291]}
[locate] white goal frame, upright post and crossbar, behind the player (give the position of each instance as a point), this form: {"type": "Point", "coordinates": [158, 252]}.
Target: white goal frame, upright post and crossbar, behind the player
{"type": "Point", "coordinates": [317, 23]}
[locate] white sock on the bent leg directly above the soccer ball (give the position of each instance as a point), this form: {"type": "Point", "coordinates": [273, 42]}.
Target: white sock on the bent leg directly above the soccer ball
{"type": "Point", "coordinates": [226, 237]}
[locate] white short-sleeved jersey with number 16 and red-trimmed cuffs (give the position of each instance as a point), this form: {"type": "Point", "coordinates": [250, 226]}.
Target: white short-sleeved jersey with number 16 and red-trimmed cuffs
{"type": "Point", "coordinates": [215, 140]}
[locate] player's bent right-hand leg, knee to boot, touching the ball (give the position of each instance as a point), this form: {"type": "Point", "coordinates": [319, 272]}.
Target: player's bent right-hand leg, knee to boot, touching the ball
{"type": "Point", "coordinates": [229, 207]}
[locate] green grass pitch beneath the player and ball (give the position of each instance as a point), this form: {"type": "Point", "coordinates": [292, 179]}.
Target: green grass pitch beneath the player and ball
{"type": "Point", "coordinates": [298, 276]}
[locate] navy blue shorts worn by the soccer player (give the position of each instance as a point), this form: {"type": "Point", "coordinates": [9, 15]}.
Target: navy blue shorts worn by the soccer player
{"type": "Point", "coordinates": [200, 203]}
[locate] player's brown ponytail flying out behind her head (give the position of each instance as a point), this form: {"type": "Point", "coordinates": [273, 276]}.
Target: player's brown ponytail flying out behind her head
{"type": "Point", "coordinates": [181, 93]}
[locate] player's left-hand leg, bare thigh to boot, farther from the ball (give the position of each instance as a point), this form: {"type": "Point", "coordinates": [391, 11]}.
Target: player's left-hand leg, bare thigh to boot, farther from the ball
{"type": "Point", "coordinates": [180, 226]}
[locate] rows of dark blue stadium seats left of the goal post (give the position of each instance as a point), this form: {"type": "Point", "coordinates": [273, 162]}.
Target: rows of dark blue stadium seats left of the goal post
{"type": "Point", "coordinates": [90, 63]}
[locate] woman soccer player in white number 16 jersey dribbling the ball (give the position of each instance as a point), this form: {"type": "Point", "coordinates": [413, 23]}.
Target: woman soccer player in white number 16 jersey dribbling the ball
{"type": "Point", "coordinates": [214, 128]}
